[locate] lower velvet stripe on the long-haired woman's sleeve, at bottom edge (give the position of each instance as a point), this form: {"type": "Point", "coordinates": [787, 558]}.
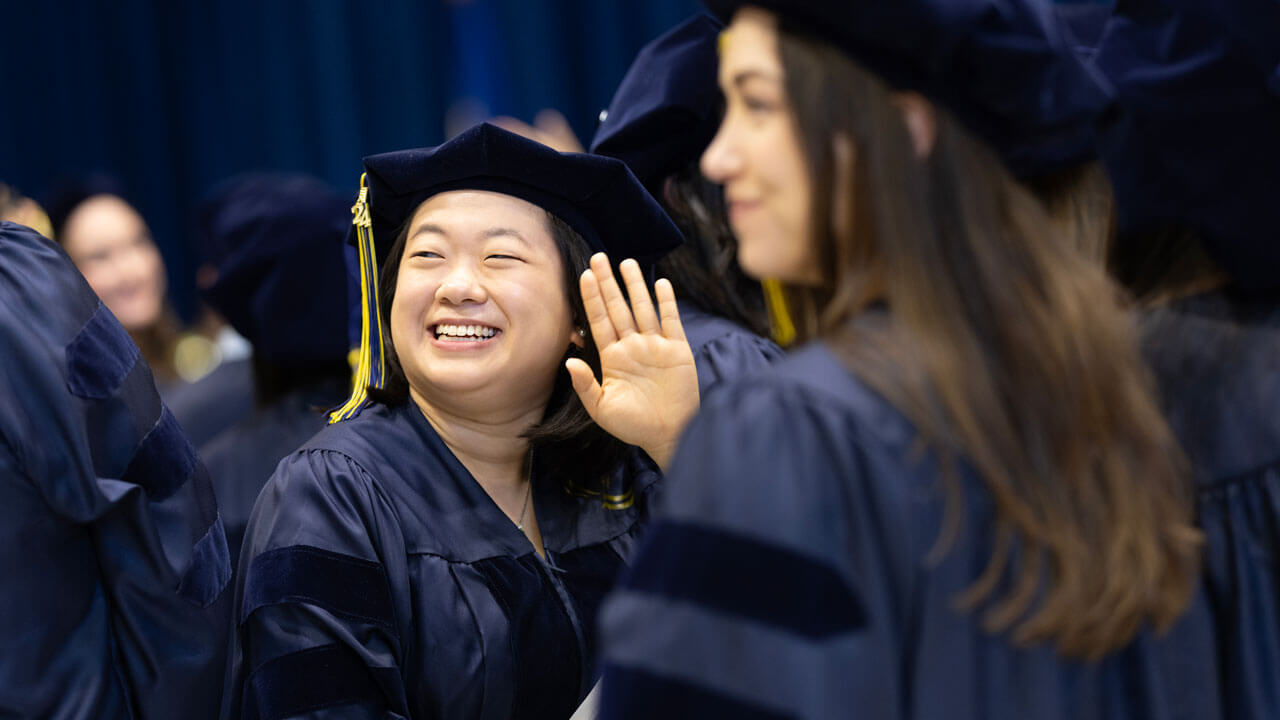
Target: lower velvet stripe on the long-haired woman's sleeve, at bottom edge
{"type": "Point", "coordinates": [634, 694]}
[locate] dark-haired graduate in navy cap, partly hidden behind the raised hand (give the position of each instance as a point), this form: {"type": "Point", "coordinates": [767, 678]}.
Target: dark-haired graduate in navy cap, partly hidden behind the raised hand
{"type": "Point", "coordinates": [660, 121]}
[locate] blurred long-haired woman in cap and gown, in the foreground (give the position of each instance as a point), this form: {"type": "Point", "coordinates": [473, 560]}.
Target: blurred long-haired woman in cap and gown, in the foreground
{"type": "Point", "coordinates": [959, 499]}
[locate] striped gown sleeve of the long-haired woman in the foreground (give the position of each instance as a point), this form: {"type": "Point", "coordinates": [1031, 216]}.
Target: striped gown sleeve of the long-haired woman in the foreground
{"type": "Point", "coordinates": [752, 595]}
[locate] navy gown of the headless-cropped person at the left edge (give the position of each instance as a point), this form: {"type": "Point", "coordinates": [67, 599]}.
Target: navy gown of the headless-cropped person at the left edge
{"type": "Point", "coordinates": [111, 548]}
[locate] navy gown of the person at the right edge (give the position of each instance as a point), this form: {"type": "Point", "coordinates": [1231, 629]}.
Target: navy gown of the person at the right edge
{"type": "Point", "coordinates": [1218, 363]}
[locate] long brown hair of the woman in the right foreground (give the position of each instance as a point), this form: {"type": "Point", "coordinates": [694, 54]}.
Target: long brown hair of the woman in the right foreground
{"type": "Point", "coordinates": [1008, 348]}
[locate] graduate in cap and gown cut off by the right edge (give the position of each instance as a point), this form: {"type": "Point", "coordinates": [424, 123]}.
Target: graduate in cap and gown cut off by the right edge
{"type": "Point", "coordinates": [1195, 156]}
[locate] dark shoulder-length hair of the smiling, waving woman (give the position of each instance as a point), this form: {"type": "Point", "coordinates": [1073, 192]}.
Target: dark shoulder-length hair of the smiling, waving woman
{"type": "Point", "coordinates": [566, 444]}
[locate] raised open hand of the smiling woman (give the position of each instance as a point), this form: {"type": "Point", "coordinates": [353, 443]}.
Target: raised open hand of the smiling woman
{"type": "Point", "coordinates": [648, 391]}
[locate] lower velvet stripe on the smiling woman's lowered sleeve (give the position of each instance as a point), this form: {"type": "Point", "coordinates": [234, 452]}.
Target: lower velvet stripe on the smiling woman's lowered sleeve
{"type": "Point", "coordinates": [312, 680]}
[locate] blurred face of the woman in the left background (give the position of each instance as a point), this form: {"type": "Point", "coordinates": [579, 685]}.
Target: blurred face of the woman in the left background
{"type": "Point", "coordinates": [112, 247]}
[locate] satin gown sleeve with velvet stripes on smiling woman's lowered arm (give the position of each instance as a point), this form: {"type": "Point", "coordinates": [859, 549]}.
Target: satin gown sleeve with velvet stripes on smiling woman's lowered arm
{"type": "Point", "coordinates": [322, 596]}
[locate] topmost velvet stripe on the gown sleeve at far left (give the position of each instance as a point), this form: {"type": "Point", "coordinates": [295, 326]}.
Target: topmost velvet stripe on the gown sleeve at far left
{"type": "Point", "coordinates": [99, 357]}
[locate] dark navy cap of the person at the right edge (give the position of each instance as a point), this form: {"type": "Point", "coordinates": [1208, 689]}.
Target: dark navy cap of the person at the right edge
{"type": "Point", "coordinates": [1194, 142]}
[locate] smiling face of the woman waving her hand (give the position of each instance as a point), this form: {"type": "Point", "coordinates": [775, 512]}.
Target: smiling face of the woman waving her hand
{"type": "Point", "coordinates": [481, 309]}
